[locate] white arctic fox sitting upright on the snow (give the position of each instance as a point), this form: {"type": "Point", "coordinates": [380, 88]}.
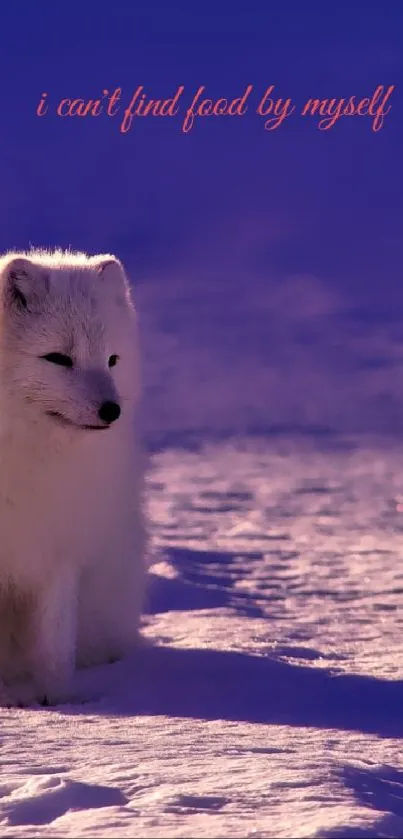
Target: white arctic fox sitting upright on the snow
{"type": "Point", "coordinates": [72, 531]}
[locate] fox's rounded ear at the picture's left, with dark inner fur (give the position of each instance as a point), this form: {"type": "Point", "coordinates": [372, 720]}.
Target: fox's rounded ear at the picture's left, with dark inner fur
{"type": "Point", "coordinates": [25, 284]}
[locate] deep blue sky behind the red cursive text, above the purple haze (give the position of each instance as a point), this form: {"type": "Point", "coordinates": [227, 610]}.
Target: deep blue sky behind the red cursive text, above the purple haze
{"type": "Point", "coordinates": [301, 200]}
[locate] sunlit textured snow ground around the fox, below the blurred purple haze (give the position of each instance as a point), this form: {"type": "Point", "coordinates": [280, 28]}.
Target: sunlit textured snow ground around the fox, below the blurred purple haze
{"type": "Point", "coordinates": [267, 698]}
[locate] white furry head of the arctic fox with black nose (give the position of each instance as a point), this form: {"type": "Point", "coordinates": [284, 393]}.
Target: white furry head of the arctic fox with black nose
{"type": "Point", "coordinates": [68, 342]}
